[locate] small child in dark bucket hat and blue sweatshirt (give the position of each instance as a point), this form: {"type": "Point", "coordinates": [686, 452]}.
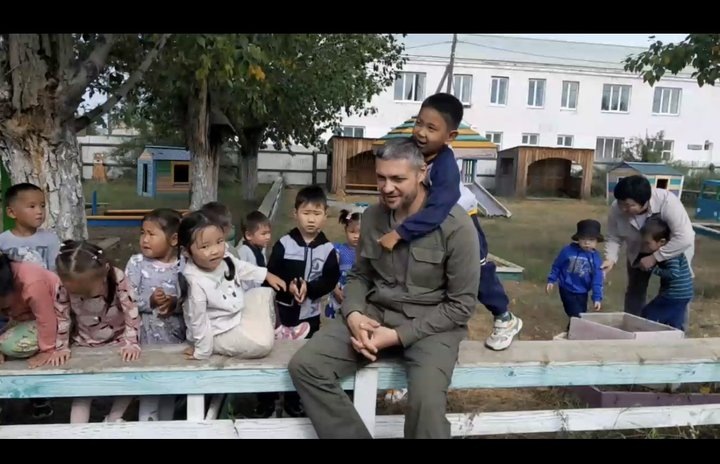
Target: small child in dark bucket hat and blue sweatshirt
{"type": "Point", "coordinates": [577, 270]}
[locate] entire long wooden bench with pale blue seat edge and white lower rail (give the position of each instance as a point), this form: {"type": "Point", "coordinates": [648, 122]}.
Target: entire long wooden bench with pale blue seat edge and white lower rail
{"type": "Point", "coordinates": [163, 370]}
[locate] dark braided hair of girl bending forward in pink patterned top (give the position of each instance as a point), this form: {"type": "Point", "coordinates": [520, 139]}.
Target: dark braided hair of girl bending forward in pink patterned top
{"type": "Point", "coordinates": [79, 257]}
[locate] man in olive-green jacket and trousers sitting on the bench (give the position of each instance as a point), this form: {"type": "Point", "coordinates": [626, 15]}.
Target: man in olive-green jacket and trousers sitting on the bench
{"type": "Point", "coordinates": [414, 302]}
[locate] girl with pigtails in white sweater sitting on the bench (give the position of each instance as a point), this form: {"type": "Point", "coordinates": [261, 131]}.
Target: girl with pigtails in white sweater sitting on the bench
{"type": "Point", "coordinates": [220, 316]}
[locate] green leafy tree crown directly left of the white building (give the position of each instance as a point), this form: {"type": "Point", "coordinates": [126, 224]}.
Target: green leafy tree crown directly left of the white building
{"type": "Point", "coordinates": [279, 86]}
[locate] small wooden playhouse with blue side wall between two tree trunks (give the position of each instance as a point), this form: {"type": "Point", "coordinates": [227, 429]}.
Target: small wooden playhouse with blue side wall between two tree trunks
{"type": "Point", "coordinates": [163, 170]}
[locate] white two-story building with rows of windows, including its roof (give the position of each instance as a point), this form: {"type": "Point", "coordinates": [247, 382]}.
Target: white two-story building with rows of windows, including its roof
{"type": "Point", "coordinates": [521, 91]}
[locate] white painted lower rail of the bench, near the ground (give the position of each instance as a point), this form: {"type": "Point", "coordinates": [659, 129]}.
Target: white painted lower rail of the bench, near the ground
{"type": "Point", "coordinates": [463, 425]}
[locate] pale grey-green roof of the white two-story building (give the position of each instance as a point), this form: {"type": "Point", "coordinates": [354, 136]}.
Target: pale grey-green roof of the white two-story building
{"type": "Point", "coordinates": [498, 49]}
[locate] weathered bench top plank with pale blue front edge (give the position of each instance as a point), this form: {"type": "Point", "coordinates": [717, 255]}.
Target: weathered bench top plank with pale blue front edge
{"type": "Point", "coordinates": [163, 370]}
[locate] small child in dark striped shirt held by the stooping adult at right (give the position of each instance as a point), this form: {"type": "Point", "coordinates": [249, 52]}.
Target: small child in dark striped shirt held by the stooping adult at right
{"type": "Point", "coordinates": [670, 306]}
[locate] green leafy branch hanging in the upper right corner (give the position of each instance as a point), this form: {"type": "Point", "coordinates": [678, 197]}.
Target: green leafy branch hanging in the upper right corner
{"type": "Point", "coordinates": [700, 51]}
